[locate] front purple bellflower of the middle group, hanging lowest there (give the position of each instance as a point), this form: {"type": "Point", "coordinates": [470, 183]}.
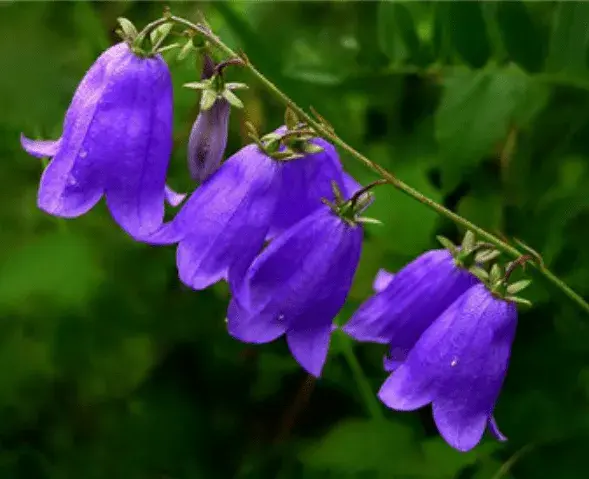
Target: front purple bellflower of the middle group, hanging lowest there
{"type": "Point", "coordinates": [297, 285]}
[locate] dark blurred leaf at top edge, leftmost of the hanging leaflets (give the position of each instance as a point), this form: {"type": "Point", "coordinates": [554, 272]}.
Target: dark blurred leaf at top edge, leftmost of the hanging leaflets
{"type": "Point", "coordinates": [397, 34]}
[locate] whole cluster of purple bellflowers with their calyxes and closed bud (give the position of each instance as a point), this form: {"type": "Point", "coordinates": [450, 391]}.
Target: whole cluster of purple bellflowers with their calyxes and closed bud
{"type": "Point", "coordinates": [281, 222]}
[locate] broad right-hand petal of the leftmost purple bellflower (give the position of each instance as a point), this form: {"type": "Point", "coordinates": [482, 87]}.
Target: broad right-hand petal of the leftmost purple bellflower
{"type": "Point", "coordinates": [138, 151]}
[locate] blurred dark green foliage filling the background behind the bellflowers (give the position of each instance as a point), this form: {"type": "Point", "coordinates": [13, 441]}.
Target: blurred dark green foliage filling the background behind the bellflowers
{"type": "Point", "coordinates": [109, 368]}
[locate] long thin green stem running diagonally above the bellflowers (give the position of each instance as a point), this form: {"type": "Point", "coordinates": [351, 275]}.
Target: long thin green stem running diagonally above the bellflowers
{"type": "Point", "coordinates": [328, 134]}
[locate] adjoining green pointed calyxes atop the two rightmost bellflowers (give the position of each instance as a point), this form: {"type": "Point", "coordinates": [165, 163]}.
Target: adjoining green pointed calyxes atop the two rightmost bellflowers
{"type": "Point", "coordinates": [478, 258]}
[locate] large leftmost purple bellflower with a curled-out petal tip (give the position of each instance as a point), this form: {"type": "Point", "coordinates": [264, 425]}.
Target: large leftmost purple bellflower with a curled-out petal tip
{"type": "Point", "coordinates": [116, 141]}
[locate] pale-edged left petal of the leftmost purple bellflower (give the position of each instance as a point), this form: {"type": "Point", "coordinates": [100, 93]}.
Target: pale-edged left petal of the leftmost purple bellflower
{"type": "Point", "coordinates": [72, 183]}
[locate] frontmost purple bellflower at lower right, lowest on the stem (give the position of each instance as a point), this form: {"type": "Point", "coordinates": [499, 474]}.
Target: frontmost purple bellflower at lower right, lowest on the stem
{"type": "Point", "coordinates": [458, 365]}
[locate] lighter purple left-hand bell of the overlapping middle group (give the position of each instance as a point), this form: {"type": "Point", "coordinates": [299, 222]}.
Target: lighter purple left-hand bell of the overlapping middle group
{"type": "Point", "coordinates": [226, 219]}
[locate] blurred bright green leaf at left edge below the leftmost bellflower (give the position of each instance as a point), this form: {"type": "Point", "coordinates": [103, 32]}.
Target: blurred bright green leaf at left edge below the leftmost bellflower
{"type": "Point", "coordinates": [58, 268]}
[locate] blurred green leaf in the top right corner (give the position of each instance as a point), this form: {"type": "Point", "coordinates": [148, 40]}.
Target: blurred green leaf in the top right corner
{"type": "Point", "coordinates": [569, 38]}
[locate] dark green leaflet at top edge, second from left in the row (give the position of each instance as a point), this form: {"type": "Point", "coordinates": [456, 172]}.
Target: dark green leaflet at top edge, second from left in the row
{"type": "Point", "coordinates": [468, 32]}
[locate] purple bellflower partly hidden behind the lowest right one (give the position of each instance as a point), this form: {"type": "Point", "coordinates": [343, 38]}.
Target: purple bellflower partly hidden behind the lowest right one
{"type": "Point", "coordinates": [408, 303]}
